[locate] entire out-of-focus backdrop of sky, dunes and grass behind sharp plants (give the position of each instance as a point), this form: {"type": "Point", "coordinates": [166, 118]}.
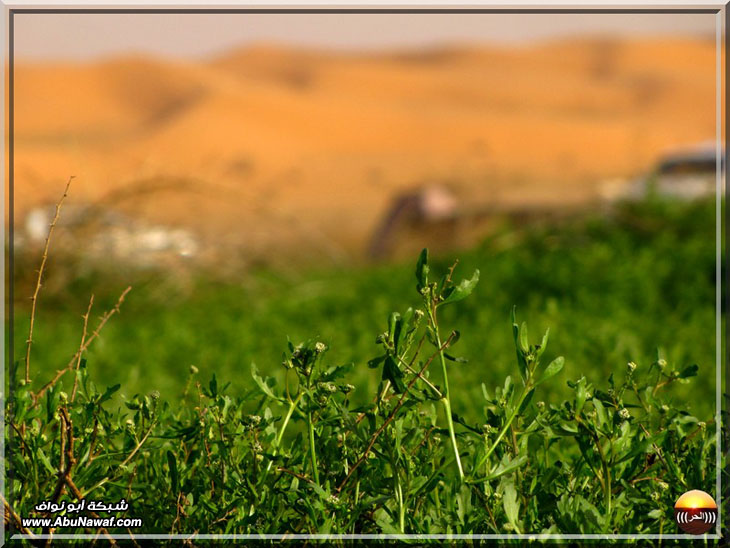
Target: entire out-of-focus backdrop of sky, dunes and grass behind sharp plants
{"type": "Point", "coordinates": [263, 176]}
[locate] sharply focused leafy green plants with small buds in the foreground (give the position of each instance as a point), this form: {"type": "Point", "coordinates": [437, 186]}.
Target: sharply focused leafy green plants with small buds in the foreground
{"type": "Point", "coordinates": [299, 456]}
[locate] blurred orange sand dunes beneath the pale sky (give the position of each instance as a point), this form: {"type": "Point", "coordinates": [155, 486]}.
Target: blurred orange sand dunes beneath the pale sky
{"type": "Point", "coordinates": [271, 148]}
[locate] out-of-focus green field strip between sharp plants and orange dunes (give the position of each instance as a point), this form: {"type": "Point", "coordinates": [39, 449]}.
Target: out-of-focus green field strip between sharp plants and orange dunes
{"type": "Point", "coordinates": [610, 290]}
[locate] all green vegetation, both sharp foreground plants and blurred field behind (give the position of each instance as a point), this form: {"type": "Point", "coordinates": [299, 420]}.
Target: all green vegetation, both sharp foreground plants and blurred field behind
{"type": "Point", "coordinates": [596, 429]}
